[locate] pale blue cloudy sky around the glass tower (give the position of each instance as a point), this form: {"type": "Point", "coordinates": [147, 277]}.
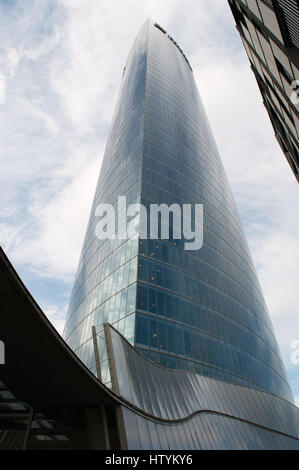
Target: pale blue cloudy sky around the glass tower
{"type": "Point", "coordinates": [61, 64]}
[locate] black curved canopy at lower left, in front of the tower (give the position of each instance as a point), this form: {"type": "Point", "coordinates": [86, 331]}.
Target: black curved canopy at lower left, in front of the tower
{"type": "Point", "coordinates": [39, 366]}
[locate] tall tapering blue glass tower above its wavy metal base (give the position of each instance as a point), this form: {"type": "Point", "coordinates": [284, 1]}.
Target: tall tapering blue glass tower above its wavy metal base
{"type": "Point", "coordinates": [200, 311]}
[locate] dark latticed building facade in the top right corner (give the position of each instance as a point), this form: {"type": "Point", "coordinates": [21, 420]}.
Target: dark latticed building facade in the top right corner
{"type": "Point", "coordinates": [269, 30]}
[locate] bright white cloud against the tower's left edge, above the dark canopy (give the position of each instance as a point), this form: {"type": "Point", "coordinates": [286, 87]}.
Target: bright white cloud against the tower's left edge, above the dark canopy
{"type": "Point", "coordinates": [51, 240]}
